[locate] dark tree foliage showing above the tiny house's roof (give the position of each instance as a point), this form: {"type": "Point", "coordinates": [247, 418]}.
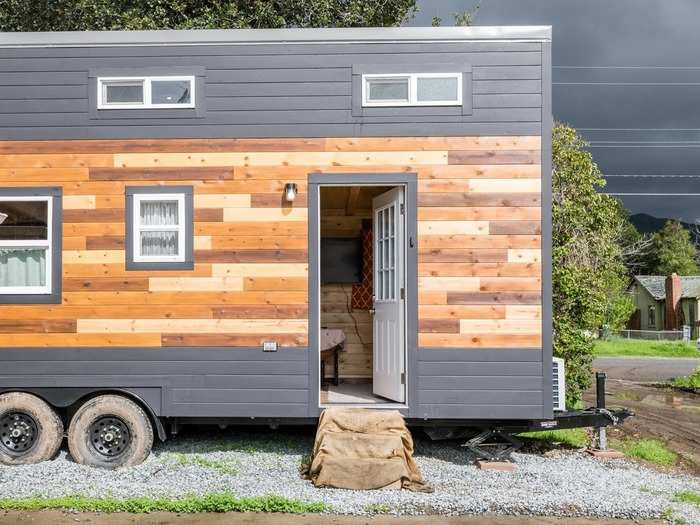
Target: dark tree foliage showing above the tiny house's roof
{"type": "Point", "coordinates": [84, 15]}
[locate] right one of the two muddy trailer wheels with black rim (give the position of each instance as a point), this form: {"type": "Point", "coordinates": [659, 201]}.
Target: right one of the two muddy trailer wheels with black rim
{"type": "Point", "coordinates": [110, 432]}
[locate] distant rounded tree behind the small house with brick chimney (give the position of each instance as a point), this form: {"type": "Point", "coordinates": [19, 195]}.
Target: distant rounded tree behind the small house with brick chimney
{"type": "Point", "coordinates": [673, 251]}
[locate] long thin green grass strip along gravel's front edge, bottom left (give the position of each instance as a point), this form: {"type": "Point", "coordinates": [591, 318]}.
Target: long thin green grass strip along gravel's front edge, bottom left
{"type": "Point", "coordinates": [224, 502]}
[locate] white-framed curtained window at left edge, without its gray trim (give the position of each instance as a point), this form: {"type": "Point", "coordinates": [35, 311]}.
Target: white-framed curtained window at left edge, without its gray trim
{"type": "Point", "coordinates": [25, 245]}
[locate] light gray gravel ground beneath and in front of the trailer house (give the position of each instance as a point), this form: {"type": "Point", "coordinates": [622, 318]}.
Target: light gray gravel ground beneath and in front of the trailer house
{"type": "Point", "coordinates": [254, 463]}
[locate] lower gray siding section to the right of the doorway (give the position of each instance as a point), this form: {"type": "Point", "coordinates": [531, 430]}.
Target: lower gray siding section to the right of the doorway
{"type": "Point", "coordinates": [479, 384]}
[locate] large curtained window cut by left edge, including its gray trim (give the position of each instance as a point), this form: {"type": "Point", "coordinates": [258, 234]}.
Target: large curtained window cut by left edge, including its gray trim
{"type": "Point", "coordinates": [29, 247]}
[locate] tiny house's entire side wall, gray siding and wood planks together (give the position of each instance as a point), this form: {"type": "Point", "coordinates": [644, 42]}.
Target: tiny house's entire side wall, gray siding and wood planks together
{"type": "Point", "coordinates": [189, 341]}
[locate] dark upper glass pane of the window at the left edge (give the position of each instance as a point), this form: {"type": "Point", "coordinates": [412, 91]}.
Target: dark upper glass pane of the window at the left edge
{"type": "Point", "coordinates": [23, 220]}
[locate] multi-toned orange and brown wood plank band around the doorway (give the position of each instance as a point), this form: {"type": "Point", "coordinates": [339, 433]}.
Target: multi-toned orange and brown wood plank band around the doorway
{"type": "Point", "coordinates": [479, 239]}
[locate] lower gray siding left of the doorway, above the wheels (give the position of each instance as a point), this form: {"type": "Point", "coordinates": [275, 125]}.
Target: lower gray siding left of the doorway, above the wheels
{"type": "Point", "coordinates": [194, 382]}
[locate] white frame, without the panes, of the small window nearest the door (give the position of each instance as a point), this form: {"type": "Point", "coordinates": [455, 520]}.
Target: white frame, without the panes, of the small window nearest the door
{"type": "Point", "coordinates": [179, 228]}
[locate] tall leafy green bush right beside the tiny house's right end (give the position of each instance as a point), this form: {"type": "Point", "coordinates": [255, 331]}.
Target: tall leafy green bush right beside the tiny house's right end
{"type": "Point", "coordinates": [589, 275]}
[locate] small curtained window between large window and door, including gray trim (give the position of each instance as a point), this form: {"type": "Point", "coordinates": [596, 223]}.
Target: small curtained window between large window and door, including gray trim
{"type": "Point", "coordinates": [159, 229]}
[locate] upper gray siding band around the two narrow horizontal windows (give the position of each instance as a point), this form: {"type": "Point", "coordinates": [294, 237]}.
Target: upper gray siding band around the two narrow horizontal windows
{"type": "Point", "coordinates": [271, 90]}
